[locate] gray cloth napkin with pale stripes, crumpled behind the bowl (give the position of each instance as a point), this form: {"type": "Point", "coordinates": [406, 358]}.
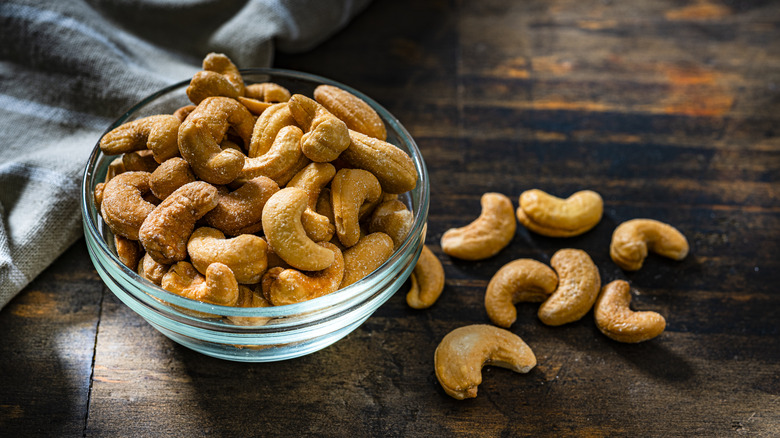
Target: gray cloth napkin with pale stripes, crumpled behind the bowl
{"type": "Point", "coordinates": [69, 68]}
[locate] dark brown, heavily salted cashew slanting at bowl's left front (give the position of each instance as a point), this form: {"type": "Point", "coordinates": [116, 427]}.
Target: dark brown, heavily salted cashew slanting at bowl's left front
{"type": "Point", "coordinates": [166, 230]}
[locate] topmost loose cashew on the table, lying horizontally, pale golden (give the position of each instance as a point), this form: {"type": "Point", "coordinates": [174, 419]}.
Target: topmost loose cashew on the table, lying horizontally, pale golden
{"type": "Point", "coordinates": [551, 216]}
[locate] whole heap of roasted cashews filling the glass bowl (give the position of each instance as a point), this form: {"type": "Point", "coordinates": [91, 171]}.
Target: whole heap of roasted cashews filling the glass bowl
{"type": "Point", "coordinates": [253, 196]}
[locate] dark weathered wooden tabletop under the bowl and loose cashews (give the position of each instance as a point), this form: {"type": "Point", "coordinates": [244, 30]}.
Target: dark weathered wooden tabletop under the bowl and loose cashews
{"type": "Point", "coordinates": [671, 110]}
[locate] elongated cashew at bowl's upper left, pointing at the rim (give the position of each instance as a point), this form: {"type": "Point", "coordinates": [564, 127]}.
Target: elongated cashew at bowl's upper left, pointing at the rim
{"type": "Point", "coordinates": [157, 133]}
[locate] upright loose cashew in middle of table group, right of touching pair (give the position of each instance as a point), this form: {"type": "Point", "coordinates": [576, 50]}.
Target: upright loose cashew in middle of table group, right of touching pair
{"type": "Point", "coordinates": [579, 283]}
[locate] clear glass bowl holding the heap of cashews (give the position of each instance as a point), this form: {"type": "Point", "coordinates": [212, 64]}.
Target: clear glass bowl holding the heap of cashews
{"type": "Point", "coordinates": [278, 333]}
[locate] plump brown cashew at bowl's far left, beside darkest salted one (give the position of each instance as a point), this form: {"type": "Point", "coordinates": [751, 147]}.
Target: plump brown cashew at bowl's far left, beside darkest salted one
{"type": "Point", "coordinates": [123, 207]}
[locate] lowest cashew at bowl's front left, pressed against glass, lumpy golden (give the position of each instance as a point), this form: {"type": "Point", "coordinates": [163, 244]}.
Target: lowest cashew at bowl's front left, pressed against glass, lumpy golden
{"type": "Point", "coordinates": [219, 286]}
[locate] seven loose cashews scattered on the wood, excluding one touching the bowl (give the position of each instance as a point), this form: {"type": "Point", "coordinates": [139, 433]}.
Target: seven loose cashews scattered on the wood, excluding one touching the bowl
{"type": "Point", "coordinates": [567, 290]}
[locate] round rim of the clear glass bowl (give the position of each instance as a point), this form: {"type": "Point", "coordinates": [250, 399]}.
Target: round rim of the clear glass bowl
{"type": "Point", "coordinates": [347, 294]}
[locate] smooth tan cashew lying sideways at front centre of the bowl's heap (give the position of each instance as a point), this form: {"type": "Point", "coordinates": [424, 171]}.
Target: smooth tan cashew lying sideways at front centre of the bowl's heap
{"type": "Point", "coordinates": [245, 255]}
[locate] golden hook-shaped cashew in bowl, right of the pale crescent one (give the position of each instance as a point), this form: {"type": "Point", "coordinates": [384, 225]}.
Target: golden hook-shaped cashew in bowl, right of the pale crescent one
{"type": "Point", "coordinates": [352, 190]}
